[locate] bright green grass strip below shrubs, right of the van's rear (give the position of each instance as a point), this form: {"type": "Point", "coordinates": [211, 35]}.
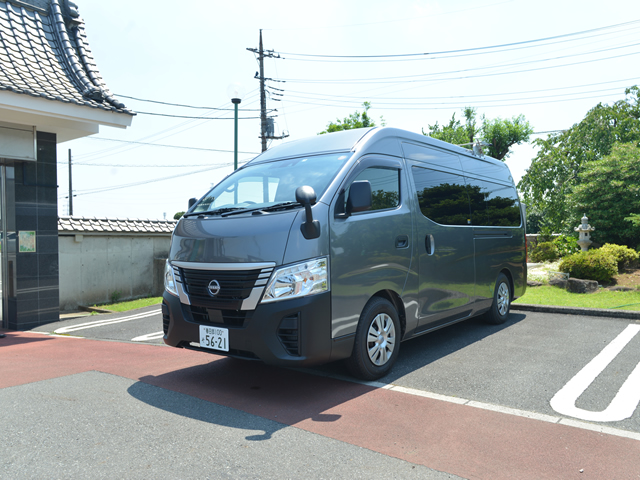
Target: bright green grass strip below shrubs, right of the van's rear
{"type": "Point", "coordinates": [547, 295]}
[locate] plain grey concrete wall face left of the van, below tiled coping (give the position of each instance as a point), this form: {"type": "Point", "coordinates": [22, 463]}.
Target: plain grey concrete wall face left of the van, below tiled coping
{"type": "Point", "coordinates": [93, 267]}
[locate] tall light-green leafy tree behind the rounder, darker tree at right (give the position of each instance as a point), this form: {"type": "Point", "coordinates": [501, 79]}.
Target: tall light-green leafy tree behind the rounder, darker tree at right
{"type": "Point", "coordinates": [555, 171]}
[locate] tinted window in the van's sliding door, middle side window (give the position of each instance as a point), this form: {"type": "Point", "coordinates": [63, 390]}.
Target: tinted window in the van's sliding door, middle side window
{"type": "Point", "coordinates": [442, 196]}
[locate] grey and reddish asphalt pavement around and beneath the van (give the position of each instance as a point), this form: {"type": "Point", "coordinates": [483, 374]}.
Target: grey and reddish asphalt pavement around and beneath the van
{"type": "Point", "coordinates": [469, 403]}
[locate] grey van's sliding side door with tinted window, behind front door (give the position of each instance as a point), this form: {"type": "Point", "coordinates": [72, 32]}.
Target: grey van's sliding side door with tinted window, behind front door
{"type": "Point", "coordinates": [445, 246]}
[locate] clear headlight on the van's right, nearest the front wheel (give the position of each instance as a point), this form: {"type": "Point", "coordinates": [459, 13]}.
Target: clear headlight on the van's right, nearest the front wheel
{"type": "Point", "coordinates": [298, 280]}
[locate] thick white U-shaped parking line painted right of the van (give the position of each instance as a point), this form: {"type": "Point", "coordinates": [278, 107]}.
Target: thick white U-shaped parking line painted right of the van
{"type": "Point", "coordinates": [623, 404]}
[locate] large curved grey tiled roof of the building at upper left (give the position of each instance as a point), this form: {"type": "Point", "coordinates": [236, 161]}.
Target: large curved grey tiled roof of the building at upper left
{"type": "Point", "coordinates": [44, 53]}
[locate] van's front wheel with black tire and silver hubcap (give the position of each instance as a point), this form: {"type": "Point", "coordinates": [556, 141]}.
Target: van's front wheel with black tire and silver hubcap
{"type": "Point", "coordinates": [374, 355]}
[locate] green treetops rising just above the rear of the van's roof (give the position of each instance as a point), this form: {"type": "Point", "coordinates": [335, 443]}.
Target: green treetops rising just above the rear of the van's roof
{"type": "Point", "coordinates": [500, 134]}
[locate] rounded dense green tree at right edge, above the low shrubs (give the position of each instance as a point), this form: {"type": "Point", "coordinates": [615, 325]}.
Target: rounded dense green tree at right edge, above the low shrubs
{"type": "Point", "coordinates": [608, 191]}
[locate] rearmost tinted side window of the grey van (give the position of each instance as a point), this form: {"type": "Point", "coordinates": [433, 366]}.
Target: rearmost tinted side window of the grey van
{"type": "Point", "coordinates": [493, 204]}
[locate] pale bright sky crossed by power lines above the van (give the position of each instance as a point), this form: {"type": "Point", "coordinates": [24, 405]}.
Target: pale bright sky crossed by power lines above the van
{"type": "Point", "coordinates": [416, 62]}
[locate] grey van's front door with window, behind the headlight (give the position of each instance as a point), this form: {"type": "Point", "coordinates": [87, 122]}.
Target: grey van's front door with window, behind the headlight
{"type": "Point", "coordinates": [370, 250]}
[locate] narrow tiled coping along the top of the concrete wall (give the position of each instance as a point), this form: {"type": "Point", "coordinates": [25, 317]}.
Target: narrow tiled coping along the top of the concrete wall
{"type": "Point", "coordinates": [82, 225]}
